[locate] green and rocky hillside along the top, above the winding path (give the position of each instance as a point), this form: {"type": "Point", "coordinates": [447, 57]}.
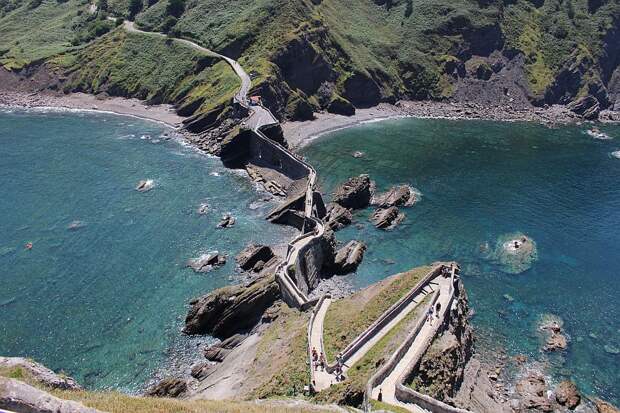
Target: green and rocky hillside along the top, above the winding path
{"type": "Point", "coordinates": [311, 54]}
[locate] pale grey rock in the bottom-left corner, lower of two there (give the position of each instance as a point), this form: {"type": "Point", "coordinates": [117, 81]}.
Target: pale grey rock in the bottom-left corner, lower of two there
{"type": "Point", "coordinates": [20, 397]}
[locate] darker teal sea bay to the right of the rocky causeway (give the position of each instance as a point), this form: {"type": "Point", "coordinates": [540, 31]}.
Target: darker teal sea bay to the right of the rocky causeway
{"type": "Point", "coordinates": [481, 183]}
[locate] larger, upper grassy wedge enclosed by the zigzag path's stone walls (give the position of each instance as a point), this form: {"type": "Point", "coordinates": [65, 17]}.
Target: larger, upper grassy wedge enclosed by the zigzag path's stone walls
{"type": "Point", "coordinates": [348, 317]}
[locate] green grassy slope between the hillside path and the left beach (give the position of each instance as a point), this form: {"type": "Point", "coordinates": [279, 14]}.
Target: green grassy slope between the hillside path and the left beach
{"type": "Point", "coordinates": [149, 67]}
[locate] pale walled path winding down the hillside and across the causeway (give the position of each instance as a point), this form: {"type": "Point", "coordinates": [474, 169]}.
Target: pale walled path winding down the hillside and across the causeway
{"type": "Point", "coordinates": [260, 117]}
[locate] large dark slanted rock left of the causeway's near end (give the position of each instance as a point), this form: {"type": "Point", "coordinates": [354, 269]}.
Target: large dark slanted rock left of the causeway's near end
{"type": "Point", "coordinates": [231, 309]}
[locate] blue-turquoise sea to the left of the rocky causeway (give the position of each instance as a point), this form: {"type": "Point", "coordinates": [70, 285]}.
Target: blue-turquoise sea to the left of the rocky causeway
{"type": "Point", "coordinates": [104, 302]}
